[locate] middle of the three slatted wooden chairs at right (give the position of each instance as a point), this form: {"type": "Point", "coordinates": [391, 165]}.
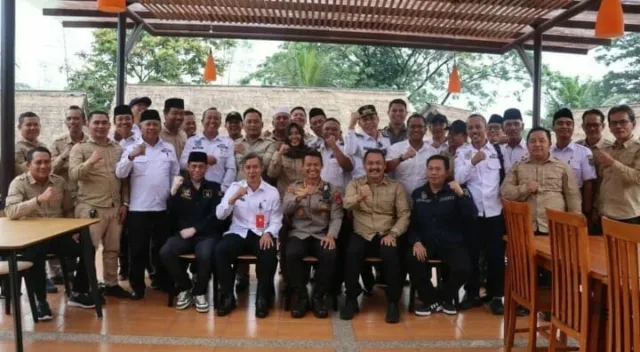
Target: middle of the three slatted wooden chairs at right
{"type": "Point", "coordinates": [571, 286]}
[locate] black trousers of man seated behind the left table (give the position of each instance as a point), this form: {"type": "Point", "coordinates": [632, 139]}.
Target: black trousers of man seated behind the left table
{"type": "Point", "coordinates": [63, 247]}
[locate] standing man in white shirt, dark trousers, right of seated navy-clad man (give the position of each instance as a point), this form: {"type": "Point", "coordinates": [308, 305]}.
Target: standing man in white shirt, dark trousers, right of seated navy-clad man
{"type": "Point", "coordinates": [478, 166]}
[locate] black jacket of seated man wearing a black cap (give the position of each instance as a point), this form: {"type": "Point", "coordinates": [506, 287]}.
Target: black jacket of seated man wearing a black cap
{"type": "Point", "coordinates": [196, 208]}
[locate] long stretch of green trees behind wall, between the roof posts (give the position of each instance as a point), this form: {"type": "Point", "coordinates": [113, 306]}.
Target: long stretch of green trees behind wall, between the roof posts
{"type": "Point", "coordinates": [422, 74]}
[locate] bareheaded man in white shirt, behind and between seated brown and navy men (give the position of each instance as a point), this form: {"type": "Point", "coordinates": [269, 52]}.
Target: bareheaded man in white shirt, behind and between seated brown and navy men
{"type": "Point", "coordinates": [408, 159]}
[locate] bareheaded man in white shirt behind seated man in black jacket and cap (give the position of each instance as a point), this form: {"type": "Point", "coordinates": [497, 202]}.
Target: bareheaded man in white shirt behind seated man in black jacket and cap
{"type": "Point", "coordinates": [219, 150]}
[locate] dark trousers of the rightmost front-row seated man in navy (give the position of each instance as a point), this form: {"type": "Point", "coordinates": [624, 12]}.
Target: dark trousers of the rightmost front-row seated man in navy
{"type": "Point", "coordinates": [455, 258]}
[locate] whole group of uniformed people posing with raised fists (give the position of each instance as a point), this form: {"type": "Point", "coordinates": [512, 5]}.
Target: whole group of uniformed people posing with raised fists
{"type": "Point", "coordinates": [387, 194]}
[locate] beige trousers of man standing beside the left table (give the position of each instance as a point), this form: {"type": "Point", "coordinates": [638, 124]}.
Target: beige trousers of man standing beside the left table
{"type": "Point", "coordinates": [107, 232]}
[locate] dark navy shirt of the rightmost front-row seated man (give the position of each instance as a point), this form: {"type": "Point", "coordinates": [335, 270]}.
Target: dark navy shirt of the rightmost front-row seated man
{"type": "Point", "coordinates": [440, 218]}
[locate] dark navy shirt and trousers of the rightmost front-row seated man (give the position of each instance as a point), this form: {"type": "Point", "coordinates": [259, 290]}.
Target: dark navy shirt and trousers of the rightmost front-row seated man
{"type": "Point", "coordinates": [438, 222]}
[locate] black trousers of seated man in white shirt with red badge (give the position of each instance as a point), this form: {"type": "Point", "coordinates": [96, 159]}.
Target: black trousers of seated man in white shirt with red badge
{"type": "Point", "coordinates": [227, 251]}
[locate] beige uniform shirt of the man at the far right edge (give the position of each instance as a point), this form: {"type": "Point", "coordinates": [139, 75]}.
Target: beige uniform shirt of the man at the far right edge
{"type": "Point", "coordinates": [619, 195]}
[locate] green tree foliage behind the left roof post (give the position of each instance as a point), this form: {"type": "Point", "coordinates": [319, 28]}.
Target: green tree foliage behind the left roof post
{"type": "Point", "coordinates": [152, 60]}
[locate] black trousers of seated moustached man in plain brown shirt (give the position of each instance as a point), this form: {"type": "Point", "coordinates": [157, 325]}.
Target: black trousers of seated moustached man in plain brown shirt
{"type": "Point", "coordinates": [358, 249]}
